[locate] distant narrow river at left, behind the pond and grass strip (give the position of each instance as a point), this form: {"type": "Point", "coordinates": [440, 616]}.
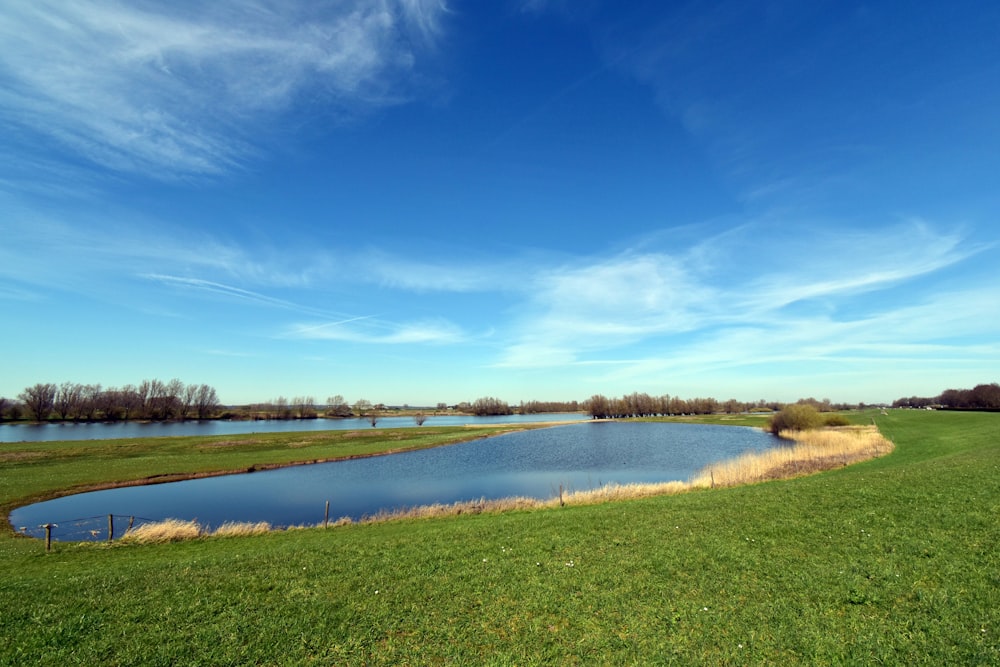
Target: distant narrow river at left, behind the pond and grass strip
{"type": "Point", "coordinates": [104, 431]}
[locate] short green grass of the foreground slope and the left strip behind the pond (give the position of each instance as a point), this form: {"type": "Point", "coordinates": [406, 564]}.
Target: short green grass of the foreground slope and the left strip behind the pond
{"type": "Point", "coordinates": [892, 561]}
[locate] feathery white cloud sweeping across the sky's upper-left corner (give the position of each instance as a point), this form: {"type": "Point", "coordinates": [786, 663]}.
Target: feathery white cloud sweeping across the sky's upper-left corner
{"type": "Point", "coordinates": [175, 90]}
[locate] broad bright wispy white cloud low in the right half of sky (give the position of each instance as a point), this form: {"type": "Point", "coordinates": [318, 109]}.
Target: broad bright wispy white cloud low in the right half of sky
{"type": "Point", "coordinates": [687, 309]}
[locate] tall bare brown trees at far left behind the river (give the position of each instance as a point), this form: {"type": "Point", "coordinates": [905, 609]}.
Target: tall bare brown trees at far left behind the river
{"type": "Point", "coordinates": [150, 399]}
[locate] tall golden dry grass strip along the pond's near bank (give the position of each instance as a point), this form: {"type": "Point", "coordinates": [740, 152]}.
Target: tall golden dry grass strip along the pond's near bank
{"type": "Point", "coordinates": [814, 451]}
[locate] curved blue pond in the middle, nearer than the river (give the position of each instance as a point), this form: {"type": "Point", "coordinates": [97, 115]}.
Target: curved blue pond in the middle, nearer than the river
{"type": "Point", "coordinates": [531, 463]}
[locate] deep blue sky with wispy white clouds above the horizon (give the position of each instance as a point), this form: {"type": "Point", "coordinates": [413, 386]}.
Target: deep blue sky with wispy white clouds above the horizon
{"type": "Point", "coordinates": [414, 201]}
